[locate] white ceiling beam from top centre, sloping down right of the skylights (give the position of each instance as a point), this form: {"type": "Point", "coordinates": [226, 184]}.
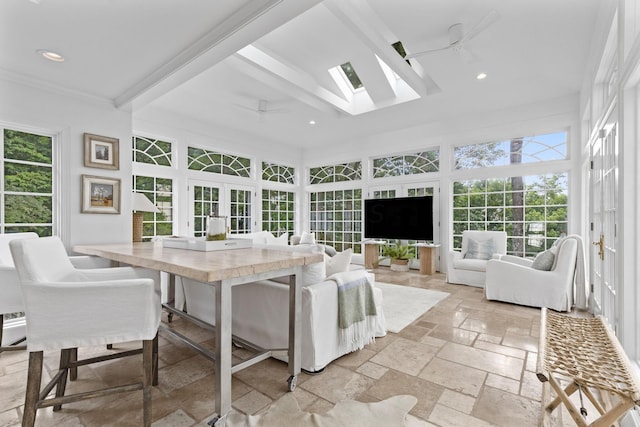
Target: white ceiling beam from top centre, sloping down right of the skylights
{"type": "Point", "coordinates": [358, 16]}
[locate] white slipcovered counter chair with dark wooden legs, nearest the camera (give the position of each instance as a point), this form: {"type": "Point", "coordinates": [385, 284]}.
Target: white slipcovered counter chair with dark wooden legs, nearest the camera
{"type": "Point", "coordinates": [67, 308]}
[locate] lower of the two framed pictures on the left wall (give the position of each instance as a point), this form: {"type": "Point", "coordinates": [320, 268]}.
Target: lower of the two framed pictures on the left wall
{"type": "Point", "coordinates": [100, 194]}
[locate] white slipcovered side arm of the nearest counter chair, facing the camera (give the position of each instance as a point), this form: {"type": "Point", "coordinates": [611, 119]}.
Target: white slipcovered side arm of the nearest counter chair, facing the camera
{"type": "Point", "coordinates": [75, 314]}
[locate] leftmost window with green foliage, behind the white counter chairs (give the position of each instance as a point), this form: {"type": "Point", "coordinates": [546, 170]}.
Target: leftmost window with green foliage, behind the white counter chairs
{"type": "Point", "coordinates": [27, 183]}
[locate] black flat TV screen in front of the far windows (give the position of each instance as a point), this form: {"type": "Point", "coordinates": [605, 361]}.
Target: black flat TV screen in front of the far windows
{"type": "Point", "coordinates": [409, 218]}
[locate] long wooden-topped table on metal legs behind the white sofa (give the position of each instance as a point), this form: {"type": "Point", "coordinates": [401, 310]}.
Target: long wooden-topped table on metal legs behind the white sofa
{"type": "Point", "coordinates": [222, 269]}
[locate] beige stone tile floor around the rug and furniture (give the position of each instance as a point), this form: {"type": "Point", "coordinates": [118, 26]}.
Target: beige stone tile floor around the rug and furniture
{"type": "Point", "coordinates": [469, 362]}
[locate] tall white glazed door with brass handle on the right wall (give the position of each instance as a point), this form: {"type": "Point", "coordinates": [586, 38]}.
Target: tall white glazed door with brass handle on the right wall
{"type": "Point", "coordinates": [603, 298]}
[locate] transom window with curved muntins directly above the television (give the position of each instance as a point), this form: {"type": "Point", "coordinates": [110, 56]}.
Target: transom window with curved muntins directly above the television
{"type": "Point", "coordinates": [406, 164]}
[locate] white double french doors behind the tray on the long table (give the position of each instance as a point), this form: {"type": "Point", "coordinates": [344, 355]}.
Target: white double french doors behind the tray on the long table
{"type": "Point", "coordinates": [236, 202]}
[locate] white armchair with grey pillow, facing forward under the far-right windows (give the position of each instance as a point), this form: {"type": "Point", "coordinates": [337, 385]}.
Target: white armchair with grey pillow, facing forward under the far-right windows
{"type": "Point", "coordinates": [468, 267]}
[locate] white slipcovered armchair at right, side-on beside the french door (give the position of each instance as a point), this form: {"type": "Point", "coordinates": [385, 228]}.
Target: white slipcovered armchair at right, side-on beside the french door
{"type": "Point", "coordinates": [512, 279]}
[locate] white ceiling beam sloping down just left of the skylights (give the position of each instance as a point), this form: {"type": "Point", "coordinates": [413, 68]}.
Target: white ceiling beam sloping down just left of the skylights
{"type": "Point", "coordinates": [293, 76]}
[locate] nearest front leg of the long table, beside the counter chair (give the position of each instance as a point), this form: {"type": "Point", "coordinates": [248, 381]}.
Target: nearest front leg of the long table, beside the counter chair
{"type": "Point", "coordinates": [223, 349]}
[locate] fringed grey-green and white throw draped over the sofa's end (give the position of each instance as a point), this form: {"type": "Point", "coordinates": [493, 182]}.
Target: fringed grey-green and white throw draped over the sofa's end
{"type": "Point", "coordinates": [356, 310]}
